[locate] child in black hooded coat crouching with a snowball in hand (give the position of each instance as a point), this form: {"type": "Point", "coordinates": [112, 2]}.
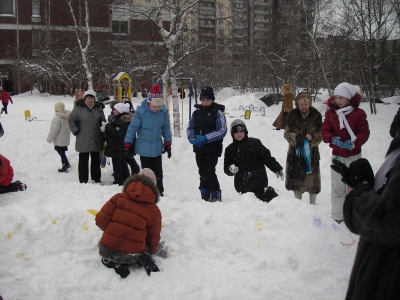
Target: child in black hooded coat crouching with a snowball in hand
{"type": "Point", "coordinates": [246, 159]}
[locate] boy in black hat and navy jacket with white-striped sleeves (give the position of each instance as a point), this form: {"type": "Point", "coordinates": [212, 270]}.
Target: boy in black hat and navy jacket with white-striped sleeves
{"type": "Point", "coordinates": [206, 130]}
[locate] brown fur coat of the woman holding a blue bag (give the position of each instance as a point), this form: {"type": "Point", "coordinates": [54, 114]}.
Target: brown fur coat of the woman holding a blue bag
{"type": "Point", "coordinates": [295, 126]}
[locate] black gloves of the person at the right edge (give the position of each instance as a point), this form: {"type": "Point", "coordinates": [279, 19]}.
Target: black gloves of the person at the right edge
{"type": "Point", "coordinates": [358, 171]}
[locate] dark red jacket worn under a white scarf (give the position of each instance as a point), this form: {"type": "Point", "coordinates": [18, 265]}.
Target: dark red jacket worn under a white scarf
{"type": "Point", "coordinates": [357, 120]}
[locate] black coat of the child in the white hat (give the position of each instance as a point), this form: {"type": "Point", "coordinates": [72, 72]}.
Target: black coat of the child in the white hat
{"type": "Point", "coordinates": [116, 131]}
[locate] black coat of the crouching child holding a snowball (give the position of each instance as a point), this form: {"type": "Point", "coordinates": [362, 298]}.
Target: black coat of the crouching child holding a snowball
{"type": "Point", "coordinates": [251, 157]}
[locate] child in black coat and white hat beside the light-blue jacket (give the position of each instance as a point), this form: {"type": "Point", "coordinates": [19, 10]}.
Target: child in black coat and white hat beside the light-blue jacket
{"type": "Point", "coordinates": [115, 132]}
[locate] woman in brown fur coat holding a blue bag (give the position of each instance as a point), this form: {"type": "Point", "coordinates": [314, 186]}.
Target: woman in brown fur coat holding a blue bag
{"type": "Point", "coordinates": [304, 122]}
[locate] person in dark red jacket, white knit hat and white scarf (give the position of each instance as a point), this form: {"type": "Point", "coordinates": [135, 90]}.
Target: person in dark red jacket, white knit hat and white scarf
{"type": "Point", "coordinates": [346, 129]}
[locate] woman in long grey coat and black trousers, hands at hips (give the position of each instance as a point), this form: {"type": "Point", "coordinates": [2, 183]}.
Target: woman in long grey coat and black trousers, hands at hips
{"type": "Point", "coordinates": [85, 121]}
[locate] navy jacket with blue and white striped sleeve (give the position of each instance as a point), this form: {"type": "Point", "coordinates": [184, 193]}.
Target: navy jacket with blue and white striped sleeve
{"type": "Point", "coordinates": [210, 122]}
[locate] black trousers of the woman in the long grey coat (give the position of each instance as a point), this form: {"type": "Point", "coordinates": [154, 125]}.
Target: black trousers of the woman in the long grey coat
{"type": "Point", "coordinates": [83, 167]}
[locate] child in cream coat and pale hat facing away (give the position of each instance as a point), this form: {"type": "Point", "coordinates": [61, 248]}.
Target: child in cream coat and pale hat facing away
{"type": "Point", "coordinates": [60, 134]}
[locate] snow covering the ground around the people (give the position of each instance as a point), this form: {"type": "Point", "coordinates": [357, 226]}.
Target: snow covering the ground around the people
{"type": "Point", "coordinates": [240, 248]}
